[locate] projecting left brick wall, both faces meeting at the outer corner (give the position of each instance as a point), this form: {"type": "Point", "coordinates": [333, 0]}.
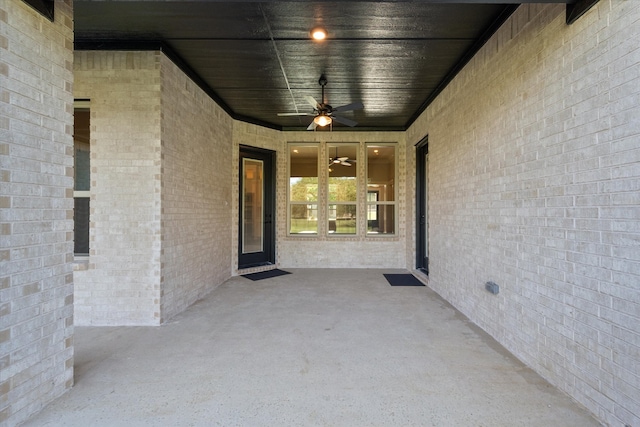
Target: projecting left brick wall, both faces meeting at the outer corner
{"type": "Point", "coordinates": [160, 191]}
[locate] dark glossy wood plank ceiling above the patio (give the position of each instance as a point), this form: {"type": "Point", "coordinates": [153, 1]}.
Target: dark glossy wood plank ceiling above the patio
{"type": "Point", "coordinates": [257, 59]}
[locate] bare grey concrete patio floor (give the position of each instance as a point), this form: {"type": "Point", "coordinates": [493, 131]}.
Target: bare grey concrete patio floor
{"type": "Point", "coordinates": [316, 347]}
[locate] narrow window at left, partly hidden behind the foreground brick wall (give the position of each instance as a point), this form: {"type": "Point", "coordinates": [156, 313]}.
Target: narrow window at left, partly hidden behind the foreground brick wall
{"type": "Point", "coordinates": [82, 178]}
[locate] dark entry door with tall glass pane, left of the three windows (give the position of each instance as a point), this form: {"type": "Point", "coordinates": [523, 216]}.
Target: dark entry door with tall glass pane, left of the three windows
{"type": "Point", "coordinates": [257, 207]}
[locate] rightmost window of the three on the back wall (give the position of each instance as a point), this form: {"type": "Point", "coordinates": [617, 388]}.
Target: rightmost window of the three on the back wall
{"type": "Point", "coordinates": [381, 189]}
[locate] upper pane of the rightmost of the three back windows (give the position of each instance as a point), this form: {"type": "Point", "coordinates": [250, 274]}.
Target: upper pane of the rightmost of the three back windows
{"type": "Point", "coordinates": [381, 171]}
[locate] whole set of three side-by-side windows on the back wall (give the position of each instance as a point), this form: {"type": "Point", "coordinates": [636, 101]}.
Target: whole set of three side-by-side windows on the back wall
{"type": "Point", "coordinates": [342, 193]}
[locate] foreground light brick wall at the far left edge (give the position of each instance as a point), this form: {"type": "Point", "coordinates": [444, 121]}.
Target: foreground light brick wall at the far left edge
{"type": "Point", "coordinates": [36, 208]}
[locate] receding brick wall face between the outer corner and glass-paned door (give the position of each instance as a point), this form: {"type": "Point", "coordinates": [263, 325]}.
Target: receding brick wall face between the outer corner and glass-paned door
{"type": "Point", "coordinates": [196, 192]}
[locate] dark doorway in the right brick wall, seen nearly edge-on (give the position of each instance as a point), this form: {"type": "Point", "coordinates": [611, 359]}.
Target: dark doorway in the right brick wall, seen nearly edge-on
{"type": "Point", "coordinates": [422, 220]}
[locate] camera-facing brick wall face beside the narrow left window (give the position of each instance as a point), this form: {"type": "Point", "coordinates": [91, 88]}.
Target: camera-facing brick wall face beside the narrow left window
{"type": "Point", "coordinates": [121, 283]}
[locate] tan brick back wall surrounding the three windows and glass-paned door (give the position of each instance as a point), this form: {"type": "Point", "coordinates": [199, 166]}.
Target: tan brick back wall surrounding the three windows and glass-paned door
{"type": "Point", "coordinates": [324, 251]}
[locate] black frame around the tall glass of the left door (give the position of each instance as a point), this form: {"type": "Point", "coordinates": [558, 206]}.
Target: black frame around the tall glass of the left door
{"type": "Point", "coordinates": [268, 256]}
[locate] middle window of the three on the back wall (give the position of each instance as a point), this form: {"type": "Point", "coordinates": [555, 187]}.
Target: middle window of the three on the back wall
{"type": "Point", "coordinates": [342, 189]}
